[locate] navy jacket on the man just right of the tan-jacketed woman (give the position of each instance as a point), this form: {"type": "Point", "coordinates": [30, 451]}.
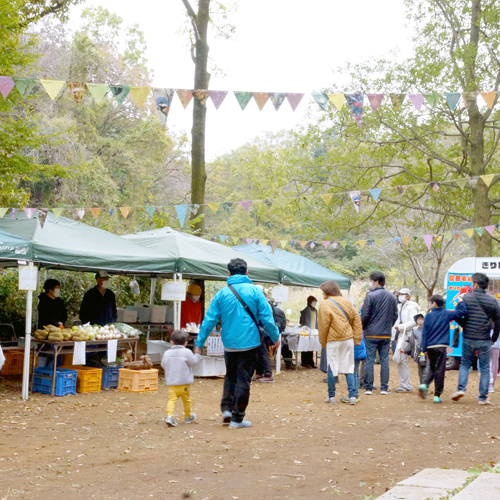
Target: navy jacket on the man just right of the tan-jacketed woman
{"type": "Point", "coordinates": [379, 313]}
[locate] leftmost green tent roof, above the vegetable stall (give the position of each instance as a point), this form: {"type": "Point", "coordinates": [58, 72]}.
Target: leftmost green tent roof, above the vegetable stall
{"type": "Point", "coordinates": [67, 244]}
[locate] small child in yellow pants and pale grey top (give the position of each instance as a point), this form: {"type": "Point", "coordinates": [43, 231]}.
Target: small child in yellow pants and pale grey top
{"type": "Point", "coordinates": [178, 363]}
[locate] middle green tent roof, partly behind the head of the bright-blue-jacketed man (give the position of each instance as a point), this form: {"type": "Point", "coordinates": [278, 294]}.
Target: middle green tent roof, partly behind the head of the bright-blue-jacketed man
{"type": "Point", "coordinates": [198, 258]}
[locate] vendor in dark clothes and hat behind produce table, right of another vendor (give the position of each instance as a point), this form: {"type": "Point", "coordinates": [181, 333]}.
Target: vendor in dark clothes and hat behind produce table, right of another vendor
{"type": "Point", "coordinates": [99, 303]}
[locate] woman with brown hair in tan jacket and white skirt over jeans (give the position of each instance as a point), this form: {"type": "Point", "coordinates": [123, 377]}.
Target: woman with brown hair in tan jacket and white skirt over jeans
{"type": "Point", "coordinates": [340, 330]}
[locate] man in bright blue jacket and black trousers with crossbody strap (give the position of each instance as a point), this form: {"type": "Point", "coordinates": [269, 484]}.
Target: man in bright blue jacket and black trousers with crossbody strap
{"type": "Point", "coordinates": [240, 337]}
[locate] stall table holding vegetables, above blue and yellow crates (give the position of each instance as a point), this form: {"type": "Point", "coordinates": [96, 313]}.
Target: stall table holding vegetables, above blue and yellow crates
{"type": "Point", "coordinates": [67, 347]}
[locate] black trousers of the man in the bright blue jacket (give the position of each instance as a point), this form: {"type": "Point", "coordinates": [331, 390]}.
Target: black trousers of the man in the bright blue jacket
{"type": "Point", "coordinates": [240, 366]}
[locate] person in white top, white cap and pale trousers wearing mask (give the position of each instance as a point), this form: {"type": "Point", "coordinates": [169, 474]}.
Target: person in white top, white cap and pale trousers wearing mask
{"type": "Point", "coordinates": [407, 310]}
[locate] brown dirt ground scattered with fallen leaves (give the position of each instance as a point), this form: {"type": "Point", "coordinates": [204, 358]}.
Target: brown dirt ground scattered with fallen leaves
{"type": "Point", "coordinates": [115, 445]}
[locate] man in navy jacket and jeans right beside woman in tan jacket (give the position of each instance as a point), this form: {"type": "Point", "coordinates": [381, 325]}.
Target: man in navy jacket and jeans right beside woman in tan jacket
{"type": "Point", "coordinates": [378, 315]}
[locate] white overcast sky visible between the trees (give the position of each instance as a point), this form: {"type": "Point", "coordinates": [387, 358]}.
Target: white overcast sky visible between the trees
{"type": "Point", "coordinates": [279, 46]}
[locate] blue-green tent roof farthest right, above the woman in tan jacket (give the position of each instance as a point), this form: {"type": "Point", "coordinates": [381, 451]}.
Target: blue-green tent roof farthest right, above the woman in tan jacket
{"type": "Point", "coordinates": [295, 269]}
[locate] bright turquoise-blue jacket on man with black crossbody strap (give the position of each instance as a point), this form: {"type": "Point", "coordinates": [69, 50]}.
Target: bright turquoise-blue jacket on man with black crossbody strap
{"type": "Point", "coordinates": [238, 329]}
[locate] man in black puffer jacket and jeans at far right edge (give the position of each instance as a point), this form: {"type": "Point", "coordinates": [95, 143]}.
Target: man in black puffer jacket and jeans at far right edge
{"type": "Point", "coordinates": [483, 315]}
